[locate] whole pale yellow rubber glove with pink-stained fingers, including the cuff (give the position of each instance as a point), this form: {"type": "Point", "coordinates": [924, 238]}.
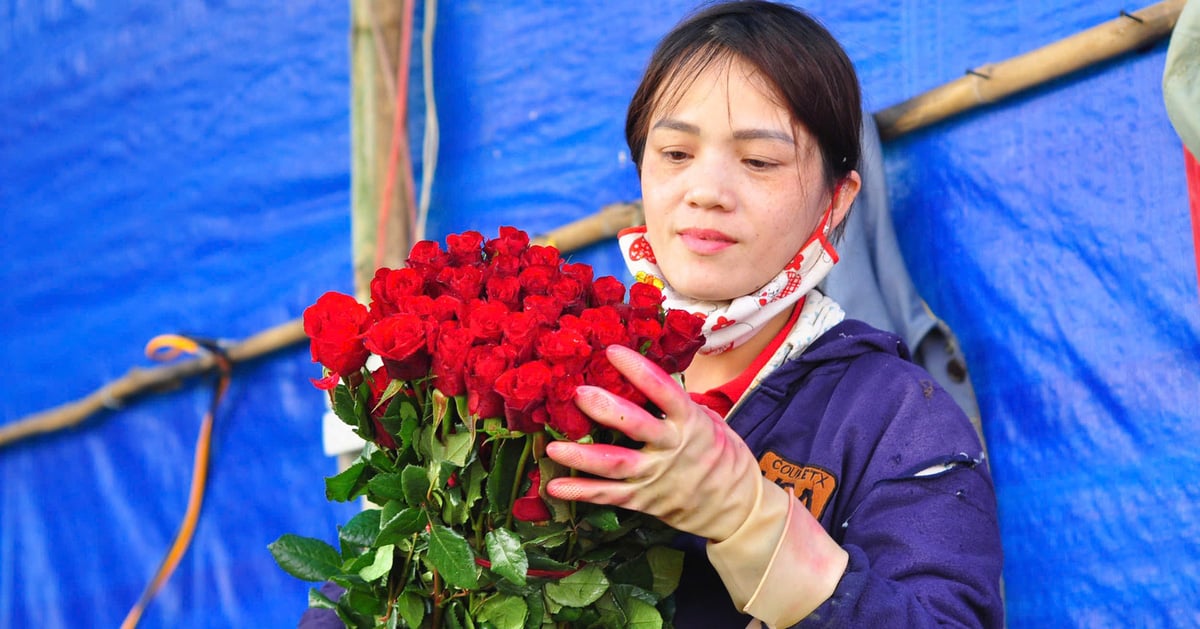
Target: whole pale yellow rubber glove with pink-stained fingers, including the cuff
{"type": "Point", "coordinates": [698, 476]}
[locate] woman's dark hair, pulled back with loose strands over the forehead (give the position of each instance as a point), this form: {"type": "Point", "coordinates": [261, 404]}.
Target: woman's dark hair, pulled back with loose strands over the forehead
{"type": "Point", "coordinates": [789, 47]}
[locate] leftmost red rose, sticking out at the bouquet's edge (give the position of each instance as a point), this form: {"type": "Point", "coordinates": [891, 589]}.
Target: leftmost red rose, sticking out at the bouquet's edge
{"type": "Point", "coordinates": [335, 326]}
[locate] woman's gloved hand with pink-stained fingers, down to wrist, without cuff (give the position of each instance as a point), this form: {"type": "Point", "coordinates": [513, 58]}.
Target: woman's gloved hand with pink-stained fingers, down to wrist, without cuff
{"type": "Point", "coordinates": [694, 472]}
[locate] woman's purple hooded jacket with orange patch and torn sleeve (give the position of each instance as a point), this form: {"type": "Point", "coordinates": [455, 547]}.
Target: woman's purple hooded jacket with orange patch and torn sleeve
{"type": "Point", "coordinates": [895, 472]}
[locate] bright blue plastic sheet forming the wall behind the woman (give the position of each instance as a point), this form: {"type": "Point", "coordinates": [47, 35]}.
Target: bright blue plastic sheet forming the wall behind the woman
{"type": "Point", "coordinates": [185, 167]}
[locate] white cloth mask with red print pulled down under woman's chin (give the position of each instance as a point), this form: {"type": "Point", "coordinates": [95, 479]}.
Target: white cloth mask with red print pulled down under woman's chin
{"type": "Point", "coordinates": [731, 324]}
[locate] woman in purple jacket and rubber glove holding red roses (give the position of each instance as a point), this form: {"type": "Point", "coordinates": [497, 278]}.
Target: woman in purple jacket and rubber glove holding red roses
{"type": "Point", "coordinates": [823, 478]}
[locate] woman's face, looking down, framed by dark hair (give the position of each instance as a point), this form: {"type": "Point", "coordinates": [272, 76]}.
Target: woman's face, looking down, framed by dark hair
{"type": "Point", "coordinates": [731, 188]}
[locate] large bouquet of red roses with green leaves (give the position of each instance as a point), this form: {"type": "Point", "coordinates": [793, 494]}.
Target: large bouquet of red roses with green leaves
{"type": "Point", "coordinates": [483, 345]}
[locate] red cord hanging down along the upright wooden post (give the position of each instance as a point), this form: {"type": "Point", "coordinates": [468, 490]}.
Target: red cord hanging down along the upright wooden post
{"type": "Point", "coordinates": [399, 151]}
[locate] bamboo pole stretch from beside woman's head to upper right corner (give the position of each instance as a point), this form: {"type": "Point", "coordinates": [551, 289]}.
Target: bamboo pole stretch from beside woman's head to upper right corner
{"type": "Point", "coordinates": [994, 82]}
